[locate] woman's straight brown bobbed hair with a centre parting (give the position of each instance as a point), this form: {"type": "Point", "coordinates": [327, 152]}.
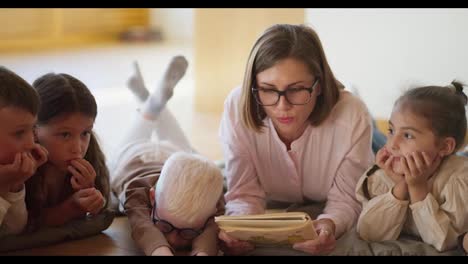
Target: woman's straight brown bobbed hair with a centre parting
{"type": "Point", "coordinates": [279, 42]}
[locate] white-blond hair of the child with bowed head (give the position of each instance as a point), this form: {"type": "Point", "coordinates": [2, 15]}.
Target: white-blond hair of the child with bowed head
{"type": "Point", "coordinates": [189, 187]}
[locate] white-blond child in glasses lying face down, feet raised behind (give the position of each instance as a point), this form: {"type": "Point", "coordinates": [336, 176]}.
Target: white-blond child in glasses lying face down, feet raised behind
{"type": "Point", "coordinates": [169, 193]}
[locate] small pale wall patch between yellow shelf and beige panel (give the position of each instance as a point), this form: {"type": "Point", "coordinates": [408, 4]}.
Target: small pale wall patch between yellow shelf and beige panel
{"type": "Point", "coordinates": [176, 23]}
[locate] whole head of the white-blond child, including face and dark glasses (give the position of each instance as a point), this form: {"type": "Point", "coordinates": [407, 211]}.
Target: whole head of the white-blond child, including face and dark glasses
{"type": "Point", "coordinates": [187, 194]}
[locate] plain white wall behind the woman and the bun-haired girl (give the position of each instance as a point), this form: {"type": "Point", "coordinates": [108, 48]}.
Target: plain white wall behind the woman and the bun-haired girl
{"type": "Point", "coordinates": [383, 51]}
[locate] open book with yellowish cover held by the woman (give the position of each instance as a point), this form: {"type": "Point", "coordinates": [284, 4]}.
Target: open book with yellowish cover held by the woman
{"type": "Point", "coordinates": [269, 229]}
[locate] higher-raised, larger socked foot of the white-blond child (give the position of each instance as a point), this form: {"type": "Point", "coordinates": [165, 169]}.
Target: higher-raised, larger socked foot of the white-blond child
{"type": "Point", "coordinates": [162, 93]}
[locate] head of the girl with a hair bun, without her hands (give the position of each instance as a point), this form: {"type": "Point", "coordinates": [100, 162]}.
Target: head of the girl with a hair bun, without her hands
{"type": "Point", "coordinates": [429, 119]}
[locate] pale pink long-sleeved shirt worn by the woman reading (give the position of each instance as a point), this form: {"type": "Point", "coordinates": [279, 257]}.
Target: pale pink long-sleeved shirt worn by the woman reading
{"type": "Point", "coordinates": [324, 164]}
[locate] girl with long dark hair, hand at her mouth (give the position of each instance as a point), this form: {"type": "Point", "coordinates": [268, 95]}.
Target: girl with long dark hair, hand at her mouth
{"type": "Point", "coordinates": [75, 180]}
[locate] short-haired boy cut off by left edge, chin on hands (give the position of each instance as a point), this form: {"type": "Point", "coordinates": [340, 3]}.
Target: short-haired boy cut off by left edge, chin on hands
{"type": "Point", "coordinates": [19, 155]}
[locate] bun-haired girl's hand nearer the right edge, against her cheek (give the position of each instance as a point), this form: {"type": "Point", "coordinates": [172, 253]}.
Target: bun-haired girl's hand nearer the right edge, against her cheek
{"type": "Point", "coordinates": [419, 167]}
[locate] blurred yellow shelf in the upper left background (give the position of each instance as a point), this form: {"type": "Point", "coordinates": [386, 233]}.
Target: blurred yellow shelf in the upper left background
{"type": "Point", "coordinates": [32, 29]}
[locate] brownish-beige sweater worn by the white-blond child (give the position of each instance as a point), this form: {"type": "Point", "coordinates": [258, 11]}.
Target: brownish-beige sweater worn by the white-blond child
{"type": "Point", "coordinates": [138, 169]}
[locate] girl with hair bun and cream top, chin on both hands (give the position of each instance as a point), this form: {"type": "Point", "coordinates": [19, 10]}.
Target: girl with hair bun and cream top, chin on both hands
{"type": "Point", "coordinates": [419, 187]}
